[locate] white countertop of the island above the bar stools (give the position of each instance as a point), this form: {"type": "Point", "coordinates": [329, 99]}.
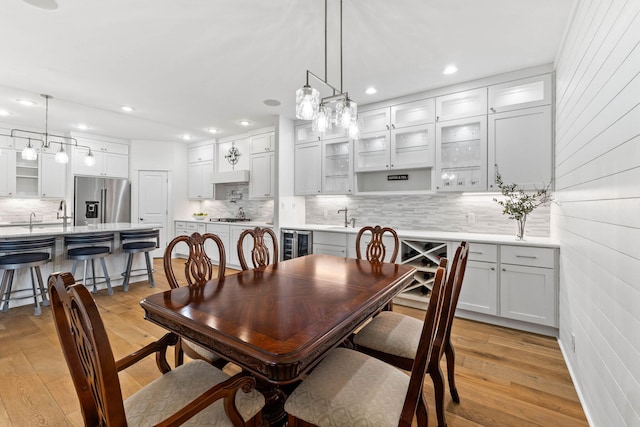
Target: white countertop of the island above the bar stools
{"type": "Point", "coordinates": [40, 230]}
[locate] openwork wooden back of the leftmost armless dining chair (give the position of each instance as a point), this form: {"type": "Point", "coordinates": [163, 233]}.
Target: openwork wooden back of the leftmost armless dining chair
{"type": "Point", "coordinates": [198, 268]}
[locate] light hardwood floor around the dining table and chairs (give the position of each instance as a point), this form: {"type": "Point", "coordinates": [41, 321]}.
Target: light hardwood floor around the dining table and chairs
{"type": "Point", "coordinates": [504, 377]}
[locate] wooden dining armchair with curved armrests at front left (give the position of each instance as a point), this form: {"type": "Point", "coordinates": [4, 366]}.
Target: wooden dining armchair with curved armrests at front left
{"type": "Point", "coordinates": [196, 393]}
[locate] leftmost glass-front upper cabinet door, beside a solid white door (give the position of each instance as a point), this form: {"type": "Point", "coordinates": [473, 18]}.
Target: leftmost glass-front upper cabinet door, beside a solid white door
{"type": "Point", "coordinates": [337, 167]}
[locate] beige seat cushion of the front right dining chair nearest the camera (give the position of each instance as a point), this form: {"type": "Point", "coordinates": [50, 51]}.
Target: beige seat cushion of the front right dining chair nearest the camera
{"type": "Point", "coordinates": [350, 389]}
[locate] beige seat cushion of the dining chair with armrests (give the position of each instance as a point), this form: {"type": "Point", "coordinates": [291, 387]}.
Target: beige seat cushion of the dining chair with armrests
{"type": "Point", "coordinates": [174, 390]}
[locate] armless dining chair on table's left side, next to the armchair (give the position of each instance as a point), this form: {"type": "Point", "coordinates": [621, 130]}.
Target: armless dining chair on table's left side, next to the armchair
{"type": "Point", "coordinates": [198, 270]}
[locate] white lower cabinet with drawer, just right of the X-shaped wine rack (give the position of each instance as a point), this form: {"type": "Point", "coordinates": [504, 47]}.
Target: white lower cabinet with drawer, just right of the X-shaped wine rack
{"type": "Point", "coordinates": [479, 292]}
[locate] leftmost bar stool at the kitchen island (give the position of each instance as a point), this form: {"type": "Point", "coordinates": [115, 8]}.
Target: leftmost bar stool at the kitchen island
{"type": "Point", "coordinates": [23, 254]}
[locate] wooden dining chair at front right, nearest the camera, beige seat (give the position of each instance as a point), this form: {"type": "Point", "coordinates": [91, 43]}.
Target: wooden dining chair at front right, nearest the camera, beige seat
{"type": "Point", "coordinates": [350, 388]}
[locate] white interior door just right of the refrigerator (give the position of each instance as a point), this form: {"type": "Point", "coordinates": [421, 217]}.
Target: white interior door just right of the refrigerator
{"type": "Point", "coordinates": [153, 204]}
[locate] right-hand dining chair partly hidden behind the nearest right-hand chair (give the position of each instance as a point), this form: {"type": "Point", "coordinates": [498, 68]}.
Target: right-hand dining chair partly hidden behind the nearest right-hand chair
{"type": "Point", "coordinates": [394, 338]}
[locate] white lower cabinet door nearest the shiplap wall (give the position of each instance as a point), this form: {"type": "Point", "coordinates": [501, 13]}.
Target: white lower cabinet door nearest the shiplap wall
{"type": "Point", "coordinates": [528, 294]}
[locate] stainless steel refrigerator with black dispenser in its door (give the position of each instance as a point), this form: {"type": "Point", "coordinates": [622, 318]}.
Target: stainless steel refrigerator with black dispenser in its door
{"type": "Point", "coordinates": [101, 200]}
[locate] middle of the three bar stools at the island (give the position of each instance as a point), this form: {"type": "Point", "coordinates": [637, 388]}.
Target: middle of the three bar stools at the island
{"type": "Point", "coordinates": [87, 247]}
